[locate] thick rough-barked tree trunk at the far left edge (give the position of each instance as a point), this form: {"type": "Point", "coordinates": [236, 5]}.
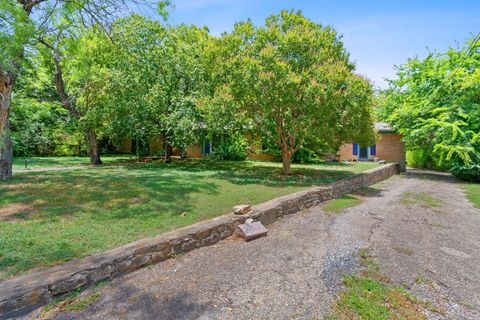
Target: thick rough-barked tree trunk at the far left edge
{"type": "Point", "coordinates": [6, 147]}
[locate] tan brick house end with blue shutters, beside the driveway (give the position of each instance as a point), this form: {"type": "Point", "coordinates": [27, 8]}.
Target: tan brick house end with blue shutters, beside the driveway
{"type": "Point", "coordinates": [389, 147]}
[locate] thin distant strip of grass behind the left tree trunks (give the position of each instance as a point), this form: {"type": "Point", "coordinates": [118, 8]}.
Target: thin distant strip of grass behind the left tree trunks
{"type": "Point", "coordinates": [55, 162]}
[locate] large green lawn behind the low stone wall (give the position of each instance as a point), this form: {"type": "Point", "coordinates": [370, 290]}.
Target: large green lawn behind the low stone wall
{"type": "Point", "coordinates": [50, 217]}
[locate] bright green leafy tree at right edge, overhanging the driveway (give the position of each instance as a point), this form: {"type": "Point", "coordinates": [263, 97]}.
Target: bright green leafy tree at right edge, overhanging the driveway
{"type": "Point", "coordinates": [435, 104]}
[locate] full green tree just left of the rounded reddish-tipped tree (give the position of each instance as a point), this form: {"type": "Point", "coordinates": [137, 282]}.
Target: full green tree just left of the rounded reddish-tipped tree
{"type": "Point", "coordinates": [150, 78]}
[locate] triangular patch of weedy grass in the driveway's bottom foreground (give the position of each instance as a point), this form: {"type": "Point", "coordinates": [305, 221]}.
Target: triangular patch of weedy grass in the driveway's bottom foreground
{"type": "Point", "coordinates": [371, 295]}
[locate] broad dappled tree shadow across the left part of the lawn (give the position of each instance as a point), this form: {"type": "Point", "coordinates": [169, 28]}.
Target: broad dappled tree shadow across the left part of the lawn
{"type": "Point", "coordinates": [63, 193]}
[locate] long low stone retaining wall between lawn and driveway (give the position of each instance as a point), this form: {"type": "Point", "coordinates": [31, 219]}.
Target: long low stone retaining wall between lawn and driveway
{"type": "Point", "coordinates": [23, 294]}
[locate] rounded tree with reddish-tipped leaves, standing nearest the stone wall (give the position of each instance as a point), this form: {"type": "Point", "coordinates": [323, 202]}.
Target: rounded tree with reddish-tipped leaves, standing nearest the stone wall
{"type": "Point", "coordinates": [293, 79]}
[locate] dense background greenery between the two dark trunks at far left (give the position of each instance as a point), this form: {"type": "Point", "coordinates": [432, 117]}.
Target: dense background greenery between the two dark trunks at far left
{"type": "Point", "coordinates": [39, 125]}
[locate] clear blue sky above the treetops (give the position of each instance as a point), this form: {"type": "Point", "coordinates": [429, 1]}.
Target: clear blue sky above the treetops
{"type": "Point", "coordinates": [378, 34]}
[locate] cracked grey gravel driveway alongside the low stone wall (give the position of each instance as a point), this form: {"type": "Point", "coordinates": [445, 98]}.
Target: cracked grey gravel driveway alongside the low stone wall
{"type": "Point", "coordinates": [420, 228]}
